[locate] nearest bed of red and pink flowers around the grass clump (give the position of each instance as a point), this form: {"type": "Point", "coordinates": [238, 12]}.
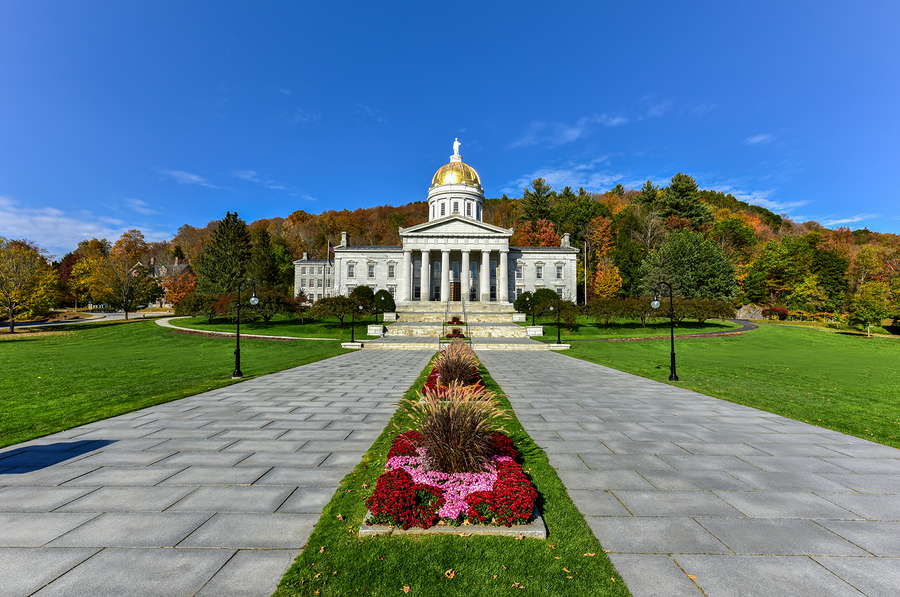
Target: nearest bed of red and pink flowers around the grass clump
{"type": "Point", "coordinates": [410, 494]}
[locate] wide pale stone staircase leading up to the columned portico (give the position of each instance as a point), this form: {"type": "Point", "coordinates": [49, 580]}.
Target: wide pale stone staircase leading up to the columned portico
{"type": "Point", "coordinates": [489, 326]}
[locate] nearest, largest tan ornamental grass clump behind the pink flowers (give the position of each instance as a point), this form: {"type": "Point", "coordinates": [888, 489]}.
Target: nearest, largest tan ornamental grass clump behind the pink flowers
{"type": "Point", "coordinates": [457, 426]}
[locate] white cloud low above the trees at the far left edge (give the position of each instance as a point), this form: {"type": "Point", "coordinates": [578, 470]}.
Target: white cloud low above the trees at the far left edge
{"type": "Point", "coordinates": [60, 232]}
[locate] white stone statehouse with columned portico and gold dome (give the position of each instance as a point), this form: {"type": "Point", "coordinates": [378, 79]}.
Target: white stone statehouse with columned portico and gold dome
{"type": "Point", "coordinates": [434, 256]}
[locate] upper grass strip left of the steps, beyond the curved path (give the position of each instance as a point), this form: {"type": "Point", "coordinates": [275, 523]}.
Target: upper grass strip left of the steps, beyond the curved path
{"type": "Point", "coordinates": [283, 326]}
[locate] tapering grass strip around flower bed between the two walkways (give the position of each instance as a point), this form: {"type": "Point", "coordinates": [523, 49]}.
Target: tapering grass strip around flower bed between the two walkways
{"type": "Point", "coordinates": [337, 562]}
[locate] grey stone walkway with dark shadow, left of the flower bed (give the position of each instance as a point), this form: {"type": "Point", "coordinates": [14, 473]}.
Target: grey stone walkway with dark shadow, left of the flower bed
{"type": "Point", "coordinates": [214, 494]}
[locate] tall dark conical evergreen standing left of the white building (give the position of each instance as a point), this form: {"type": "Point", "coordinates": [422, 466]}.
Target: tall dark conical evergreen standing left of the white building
{"type": "Point", "coordinates": [223, 263]}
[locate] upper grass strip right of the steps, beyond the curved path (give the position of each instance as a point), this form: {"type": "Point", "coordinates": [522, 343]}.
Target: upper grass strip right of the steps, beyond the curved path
{"type": "Point", "coordinates": [590, 330]}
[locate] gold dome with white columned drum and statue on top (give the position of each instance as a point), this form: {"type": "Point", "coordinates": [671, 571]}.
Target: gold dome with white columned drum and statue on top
{"type": "Point", "coordinates": [455, 190]}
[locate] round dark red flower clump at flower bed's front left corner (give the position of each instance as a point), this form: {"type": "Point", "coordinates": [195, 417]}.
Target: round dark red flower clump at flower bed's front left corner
{"type": "Point", "coordinates": [399, 501]}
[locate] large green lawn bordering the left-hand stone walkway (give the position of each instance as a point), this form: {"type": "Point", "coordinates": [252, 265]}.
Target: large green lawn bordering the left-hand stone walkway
{"type": "Point", "coordinates": [59, 378]}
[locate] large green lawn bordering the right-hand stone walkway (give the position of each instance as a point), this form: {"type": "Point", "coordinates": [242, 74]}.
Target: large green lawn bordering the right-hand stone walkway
{"type": "Point", "coordinates": [843, 382]}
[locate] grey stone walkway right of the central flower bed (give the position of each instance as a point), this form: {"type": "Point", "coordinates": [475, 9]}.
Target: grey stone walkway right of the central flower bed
{"type": "Point", "coordinates": [675, 483]}
